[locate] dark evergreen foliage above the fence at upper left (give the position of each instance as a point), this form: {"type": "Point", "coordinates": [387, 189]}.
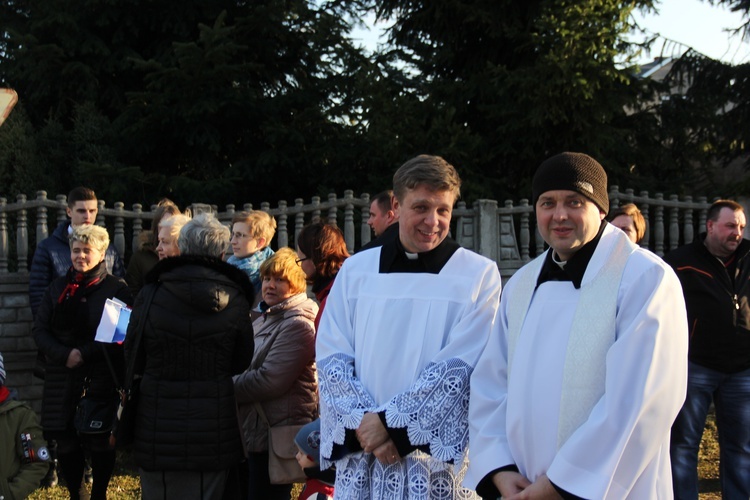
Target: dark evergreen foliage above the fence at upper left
{"type": "Point", "coordinates": [214, 101]}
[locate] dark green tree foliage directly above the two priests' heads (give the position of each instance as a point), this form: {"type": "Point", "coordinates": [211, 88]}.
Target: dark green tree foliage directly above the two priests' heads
{"type": "Point", "coordinates": [497, 86]}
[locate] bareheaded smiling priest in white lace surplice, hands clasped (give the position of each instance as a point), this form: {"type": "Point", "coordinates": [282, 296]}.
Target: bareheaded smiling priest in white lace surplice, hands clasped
{"type": "Point", "coordinates": [403, 327]}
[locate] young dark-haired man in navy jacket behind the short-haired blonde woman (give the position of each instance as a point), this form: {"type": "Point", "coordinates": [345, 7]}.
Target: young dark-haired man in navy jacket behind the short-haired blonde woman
{"type": "Point", "coordinates": [52, 256]}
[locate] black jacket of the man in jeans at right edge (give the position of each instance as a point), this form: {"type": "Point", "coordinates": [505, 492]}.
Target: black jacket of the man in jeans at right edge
{"type": "Point", "coordinates": [718, 307]}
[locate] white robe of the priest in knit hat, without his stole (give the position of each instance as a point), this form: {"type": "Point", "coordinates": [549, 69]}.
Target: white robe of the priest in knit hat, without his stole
{"type": "Point", "coordinates": [622, 449]}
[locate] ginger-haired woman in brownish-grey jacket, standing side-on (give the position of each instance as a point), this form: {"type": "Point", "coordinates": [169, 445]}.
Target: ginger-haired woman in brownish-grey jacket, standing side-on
{"type": "Point", "coordinates": [282, 377]}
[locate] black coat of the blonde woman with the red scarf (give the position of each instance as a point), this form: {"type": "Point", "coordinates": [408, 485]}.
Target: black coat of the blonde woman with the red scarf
{"type": "Point", "coordinates": [62, 385]}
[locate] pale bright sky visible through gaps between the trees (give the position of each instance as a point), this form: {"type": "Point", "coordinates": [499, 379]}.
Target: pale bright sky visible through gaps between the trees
{"type": "Point", "coordinates": [684, 23]}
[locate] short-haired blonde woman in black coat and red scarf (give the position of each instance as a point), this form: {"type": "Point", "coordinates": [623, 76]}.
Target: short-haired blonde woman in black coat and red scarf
{"type": "Point", "coordinates": [64, 329]}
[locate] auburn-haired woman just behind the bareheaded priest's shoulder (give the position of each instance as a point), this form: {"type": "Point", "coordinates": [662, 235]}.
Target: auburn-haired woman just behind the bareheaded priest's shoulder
{"type": "Point", "coordinates": [322, 251]}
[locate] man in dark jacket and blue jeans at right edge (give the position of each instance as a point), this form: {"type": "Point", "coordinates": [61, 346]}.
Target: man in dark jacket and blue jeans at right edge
{"type": "Point", "coordinates": [715, 275]}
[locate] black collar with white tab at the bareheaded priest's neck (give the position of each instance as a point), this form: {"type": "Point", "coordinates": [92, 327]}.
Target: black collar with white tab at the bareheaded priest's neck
{"type": "Point", "coordinates": [395, 259]}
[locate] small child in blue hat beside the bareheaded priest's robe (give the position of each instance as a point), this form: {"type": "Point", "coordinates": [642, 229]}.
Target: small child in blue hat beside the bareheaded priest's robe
{"type": "Point", "coordinates": [319, 484]}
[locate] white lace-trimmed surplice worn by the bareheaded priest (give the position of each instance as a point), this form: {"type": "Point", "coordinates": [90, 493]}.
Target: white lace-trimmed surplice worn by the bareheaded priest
{"type": "Point", "coordinates": [404, 344]}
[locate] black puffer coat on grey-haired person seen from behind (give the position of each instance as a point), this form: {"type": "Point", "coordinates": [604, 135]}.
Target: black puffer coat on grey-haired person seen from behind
{"type": "Point", "coordinates": [196, 336]}
